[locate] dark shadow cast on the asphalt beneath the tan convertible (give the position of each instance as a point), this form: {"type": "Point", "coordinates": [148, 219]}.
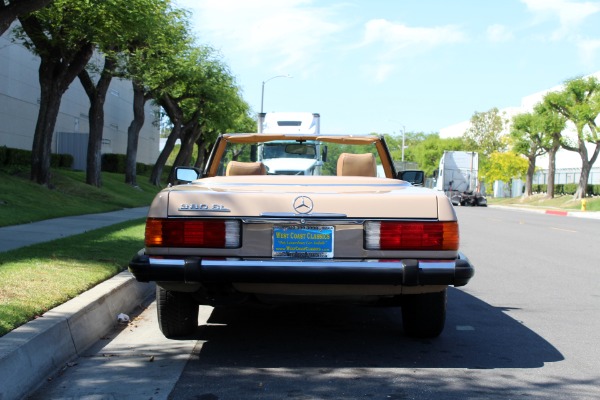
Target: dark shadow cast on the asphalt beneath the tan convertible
{"type": "Point", "coordinates": [477, 336]}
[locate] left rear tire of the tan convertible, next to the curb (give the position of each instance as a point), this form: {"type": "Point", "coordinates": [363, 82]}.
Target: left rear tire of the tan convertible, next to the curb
{"type": "Point", "coordinates": [177, 313]}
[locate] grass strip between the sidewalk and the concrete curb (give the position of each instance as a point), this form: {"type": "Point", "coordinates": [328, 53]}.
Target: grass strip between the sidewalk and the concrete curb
{"type": "Point", "coordinates": [37, 278]}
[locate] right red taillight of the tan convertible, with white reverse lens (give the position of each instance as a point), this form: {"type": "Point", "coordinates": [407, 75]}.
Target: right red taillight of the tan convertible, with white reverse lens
{"type": "Point", "coordinates": [399, 235]}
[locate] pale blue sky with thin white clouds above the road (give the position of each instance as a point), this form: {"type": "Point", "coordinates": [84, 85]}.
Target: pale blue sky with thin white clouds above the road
{"type": "Point", "coordinates": [386, 66]}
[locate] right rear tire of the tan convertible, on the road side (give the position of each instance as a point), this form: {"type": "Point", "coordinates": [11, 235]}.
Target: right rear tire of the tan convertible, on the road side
{"type": "Point", "coordinates": [424, 315]}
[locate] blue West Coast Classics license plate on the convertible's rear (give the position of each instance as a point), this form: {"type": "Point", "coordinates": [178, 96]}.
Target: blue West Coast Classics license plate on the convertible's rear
{"type": "Point", "coordinates": [303, 241]}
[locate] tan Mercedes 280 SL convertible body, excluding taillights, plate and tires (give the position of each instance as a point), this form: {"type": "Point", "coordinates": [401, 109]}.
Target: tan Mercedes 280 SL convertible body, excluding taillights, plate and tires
{"type": "Point", "coordinates": [262, 202]}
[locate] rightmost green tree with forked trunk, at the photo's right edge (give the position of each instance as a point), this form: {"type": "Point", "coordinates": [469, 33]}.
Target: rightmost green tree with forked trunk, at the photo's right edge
{"type": "Point", "coordinates": [579, 102]}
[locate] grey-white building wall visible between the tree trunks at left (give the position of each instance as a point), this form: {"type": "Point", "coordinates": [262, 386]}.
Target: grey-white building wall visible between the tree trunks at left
{"type": "Point", "coordinates": [19, 106]}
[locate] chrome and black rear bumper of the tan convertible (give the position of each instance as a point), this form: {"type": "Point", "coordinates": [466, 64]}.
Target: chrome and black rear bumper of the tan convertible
{"type": "Point", "coordinates": [407, 272]}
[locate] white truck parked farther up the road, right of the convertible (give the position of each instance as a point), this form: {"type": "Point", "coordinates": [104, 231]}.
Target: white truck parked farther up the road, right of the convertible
{"type": "Point", "coordinates": [458, 178]}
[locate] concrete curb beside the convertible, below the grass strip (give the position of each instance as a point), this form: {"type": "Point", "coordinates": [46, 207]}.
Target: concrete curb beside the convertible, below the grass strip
{"type": "Point", "coordinates": [40, 348]}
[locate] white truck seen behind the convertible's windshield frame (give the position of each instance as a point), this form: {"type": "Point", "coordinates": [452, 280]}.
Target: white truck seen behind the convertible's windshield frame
{"type": "Point", "coordinates": [306, 158]}
